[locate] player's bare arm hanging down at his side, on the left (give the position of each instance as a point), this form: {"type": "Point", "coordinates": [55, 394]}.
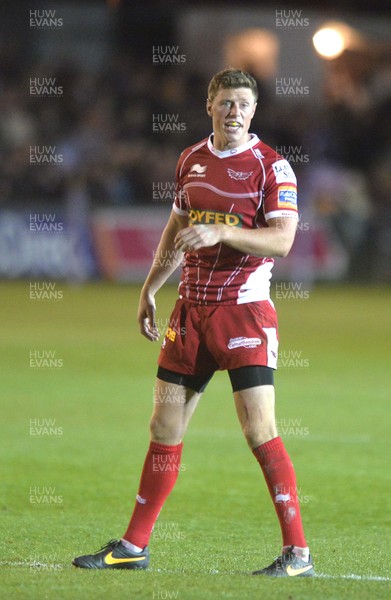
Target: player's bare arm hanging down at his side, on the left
{"type": "Point", "coordinates": [165, 262]}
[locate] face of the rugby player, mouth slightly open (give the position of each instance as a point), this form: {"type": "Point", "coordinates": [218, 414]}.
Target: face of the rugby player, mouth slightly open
{"type": "Point", "coordinates": [231, 110]}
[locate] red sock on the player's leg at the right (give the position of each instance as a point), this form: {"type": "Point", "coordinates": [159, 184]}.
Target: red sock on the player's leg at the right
{"type": "Point", "coordinates": [281, 481]}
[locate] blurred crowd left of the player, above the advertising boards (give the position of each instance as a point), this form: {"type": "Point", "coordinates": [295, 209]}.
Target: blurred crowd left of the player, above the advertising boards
{"type": "Point", "coordinates": [107, 131]}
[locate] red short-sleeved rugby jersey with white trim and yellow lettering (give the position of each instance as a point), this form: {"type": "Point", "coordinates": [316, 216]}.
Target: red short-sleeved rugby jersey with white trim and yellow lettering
{"type": "Point", "coordinates": [242, 187]}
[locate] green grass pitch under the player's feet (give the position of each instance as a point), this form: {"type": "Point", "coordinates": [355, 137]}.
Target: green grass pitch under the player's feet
{"type": "Point", "coordinates": [68, 493]}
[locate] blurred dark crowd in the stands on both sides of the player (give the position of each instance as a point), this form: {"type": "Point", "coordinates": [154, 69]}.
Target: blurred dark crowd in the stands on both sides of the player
{"type": "Point", "coordinates": [115, 135]}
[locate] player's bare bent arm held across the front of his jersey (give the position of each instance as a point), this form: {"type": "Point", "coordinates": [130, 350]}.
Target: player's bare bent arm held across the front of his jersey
{"type": "Point", "coordinates": [272, 241]}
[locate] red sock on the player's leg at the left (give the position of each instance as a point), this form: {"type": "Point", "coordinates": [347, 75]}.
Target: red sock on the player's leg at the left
{"type": "Point", "coordinates": [160, 472]}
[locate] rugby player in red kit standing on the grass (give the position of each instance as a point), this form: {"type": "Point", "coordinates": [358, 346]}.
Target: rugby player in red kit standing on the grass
{"type": "Point", "coordinates": [235, 209]}
